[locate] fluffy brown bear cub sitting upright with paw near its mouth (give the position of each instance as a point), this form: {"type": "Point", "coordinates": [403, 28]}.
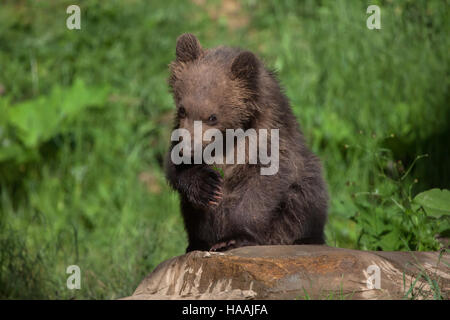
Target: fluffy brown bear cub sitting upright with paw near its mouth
{"type": "Point", "coordinates": [227, 88]}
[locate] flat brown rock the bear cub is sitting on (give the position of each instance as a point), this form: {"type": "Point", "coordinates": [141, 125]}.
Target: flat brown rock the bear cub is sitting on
{"type": "Point", "coordinates": [298, 272]}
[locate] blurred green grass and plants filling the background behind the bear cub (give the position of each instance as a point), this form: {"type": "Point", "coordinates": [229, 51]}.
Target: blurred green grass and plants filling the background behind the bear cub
{"type": "Point", "coordinates": [85, 120]}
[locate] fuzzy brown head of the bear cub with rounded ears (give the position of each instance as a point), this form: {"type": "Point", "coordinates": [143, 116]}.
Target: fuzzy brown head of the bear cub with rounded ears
{"type": "Point", "coordinates": [216, 86]}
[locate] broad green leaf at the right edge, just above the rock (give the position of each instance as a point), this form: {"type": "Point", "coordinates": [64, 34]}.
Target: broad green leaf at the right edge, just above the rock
{"type": "Point", "coordinates": [436, 202]}
